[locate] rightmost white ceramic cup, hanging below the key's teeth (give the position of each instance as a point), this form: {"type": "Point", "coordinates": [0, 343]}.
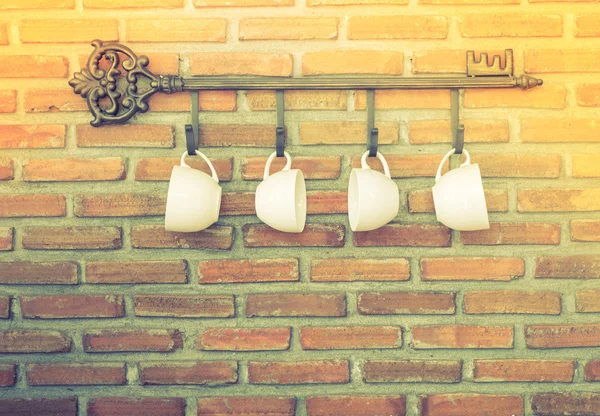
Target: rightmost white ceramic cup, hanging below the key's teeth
{"type": "Point", "coordinates": [459, 198]}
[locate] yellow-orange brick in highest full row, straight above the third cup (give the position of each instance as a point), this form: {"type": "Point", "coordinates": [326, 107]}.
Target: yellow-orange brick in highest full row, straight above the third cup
{"type": "Point", "coordinates": [397, 27]}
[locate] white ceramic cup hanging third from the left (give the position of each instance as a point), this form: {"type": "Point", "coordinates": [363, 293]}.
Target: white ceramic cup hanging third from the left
{"type": "Point", "coordinates": [373, 198]}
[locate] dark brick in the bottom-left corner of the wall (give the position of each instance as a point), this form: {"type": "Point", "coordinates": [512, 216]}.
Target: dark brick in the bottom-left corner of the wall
{"type": "Point", "coordinates": [61, 406]}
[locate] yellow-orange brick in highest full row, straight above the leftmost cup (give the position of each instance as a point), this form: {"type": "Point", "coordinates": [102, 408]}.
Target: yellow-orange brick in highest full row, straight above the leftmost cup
{"type": "Point", "coordinates": [176, 30]}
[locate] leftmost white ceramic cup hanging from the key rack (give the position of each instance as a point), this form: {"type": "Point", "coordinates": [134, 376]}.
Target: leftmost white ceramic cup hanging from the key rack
{"type": "Point", "coordinates": [194, 198]}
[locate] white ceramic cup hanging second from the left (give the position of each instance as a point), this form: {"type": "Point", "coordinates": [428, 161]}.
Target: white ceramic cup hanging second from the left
{"type": "Point", "coordinates": [281, 198]}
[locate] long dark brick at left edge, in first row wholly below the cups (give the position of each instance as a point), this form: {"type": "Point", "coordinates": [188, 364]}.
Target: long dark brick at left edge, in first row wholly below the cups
{"type": "Point", "coordinates": [42, 273]}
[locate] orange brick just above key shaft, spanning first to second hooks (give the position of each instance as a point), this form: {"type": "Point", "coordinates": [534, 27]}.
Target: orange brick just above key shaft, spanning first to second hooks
{"type": "Point", "coordinates": [241, 63]}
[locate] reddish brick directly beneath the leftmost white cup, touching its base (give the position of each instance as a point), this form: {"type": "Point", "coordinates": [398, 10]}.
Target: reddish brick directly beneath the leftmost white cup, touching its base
{"type": "Point", "coordinates": [217, 237]}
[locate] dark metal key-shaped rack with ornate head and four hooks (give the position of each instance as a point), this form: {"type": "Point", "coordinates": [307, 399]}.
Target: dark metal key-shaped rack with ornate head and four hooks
{"type": "Point", "coordinates": [113, 99]}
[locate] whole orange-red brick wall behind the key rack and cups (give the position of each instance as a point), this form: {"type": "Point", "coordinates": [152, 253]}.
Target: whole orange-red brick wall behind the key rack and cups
{"type": "Point", "coordinates": [102, 312]}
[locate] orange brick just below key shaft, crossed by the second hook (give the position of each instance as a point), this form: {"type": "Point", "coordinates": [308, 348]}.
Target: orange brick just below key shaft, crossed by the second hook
{"type": "Point", "coordinates": [298, 100]}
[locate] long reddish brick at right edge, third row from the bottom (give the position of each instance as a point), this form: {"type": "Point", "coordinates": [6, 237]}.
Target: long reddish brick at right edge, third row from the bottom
{"type": "Point", "coordinates": [562, 336]}
